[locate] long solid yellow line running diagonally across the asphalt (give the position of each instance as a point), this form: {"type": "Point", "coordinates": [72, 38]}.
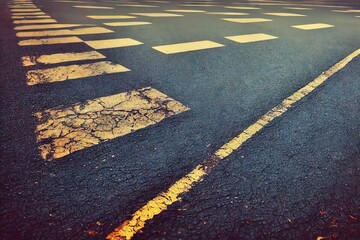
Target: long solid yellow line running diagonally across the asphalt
{"type": "Point", "coordinates": [173, 194]}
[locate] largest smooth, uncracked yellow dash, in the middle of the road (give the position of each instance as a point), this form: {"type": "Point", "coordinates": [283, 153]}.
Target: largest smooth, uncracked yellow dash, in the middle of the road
{"type": "Point", "coordinates": [187, 47]}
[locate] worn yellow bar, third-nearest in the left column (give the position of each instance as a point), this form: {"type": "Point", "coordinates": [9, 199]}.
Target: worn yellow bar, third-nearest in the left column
{"type": "Point", "coordinates": [61, 58]}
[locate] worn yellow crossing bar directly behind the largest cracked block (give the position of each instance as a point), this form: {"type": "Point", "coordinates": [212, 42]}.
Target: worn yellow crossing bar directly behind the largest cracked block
{"type": "Point", "coordinates": [63, 73]}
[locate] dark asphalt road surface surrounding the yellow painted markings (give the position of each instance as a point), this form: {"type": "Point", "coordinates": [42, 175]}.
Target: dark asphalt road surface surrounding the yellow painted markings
{"type": "Point", "coordinates": [297, 178]}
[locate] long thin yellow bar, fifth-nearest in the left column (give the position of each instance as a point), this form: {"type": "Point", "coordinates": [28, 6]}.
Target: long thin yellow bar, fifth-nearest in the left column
{"type": "Point", "coordinates": [77, 31]}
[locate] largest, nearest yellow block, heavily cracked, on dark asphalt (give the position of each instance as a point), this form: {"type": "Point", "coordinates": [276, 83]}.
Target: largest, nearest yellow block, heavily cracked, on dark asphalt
{"type": "Point", "coordinates": [62, 131]}
